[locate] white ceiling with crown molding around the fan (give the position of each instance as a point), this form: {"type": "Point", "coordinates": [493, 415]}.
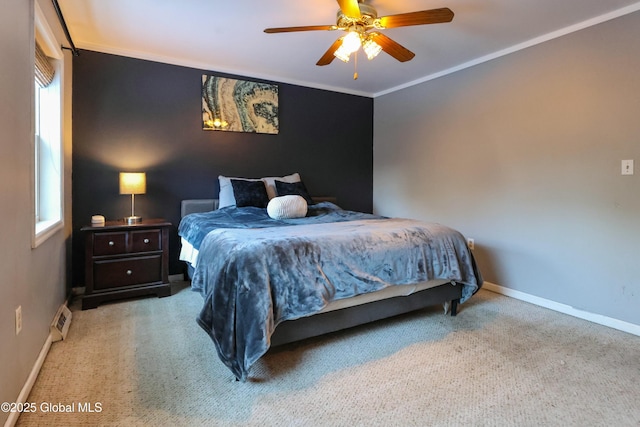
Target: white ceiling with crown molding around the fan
{"type": "Point", "coordinates": [228, 36]}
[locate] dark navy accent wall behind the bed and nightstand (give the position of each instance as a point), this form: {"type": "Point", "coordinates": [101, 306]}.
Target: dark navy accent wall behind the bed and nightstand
{"type": "Point", "coordinates": [136, 115]}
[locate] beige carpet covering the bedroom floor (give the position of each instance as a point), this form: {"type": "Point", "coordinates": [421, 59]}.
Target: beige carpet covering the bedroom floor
{"type": "Point", "coordinates": [499, 362]}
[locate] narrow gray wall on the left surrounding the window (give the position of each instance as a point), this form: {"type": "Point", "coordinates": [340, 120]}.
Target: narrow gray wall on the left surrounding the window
{"type": "Point", "coordinates": [32, 278]}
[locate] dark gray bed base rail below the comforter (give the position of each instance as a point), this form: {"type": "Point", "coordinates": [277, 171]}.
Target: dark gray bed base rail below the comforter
{"type": "Point", "coordinates": [332, 321]}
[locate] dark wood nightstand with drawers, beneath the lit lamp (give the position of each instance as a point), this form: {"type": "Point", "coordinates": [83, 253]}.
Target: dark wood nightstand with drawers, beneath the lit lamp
{"type": "Point", "coordinates": [124, 261]}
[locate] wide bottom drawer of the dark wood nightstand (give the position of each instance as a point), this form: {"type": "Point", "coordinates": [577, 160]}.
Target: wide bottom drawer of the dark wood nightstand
{"type": "Point", "coordinates": [114, 273]}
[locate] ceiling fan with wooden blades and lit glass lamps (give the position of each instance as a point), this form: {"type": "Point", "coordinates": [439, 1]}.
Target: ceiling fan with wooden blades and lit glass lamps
{"type": "Point", "coordinates": [361, 23]}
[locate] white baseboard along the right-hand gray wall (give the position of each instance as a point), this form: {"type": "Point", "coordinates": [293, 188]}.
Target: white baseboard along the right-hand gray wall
{"type": "Point", "coordinates": [563, 308]}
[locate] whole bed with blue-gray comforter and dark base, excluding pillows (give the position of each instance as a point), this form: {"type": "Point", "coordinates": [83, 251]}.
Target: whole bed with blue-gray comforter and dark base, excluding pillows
{"type": "Point", "coordinates": [268, 281]}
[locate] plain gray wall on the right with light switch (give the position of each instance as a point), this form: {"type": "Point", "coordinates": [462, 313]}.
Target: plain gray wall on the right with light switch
{"type": "Point", "coordinates": [523, 153]}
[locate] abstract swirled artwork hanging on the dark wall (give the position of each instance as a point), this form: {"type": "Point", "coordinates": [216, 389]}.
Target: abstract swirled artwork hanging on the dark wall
{"type": "Point", "coordinates": [239, 106]}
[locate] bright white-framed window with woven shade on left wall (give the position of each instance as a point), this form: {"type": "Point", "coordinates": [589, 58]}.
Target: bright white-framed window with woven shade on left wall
{"type": "Point", "coordinates": [47, 153]}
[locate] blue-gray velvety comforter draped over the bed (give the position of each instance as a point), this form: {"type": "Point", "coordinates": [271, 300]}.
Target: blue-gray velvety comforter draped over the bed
{"type": "Point", "coordinates": [254, 272]}
